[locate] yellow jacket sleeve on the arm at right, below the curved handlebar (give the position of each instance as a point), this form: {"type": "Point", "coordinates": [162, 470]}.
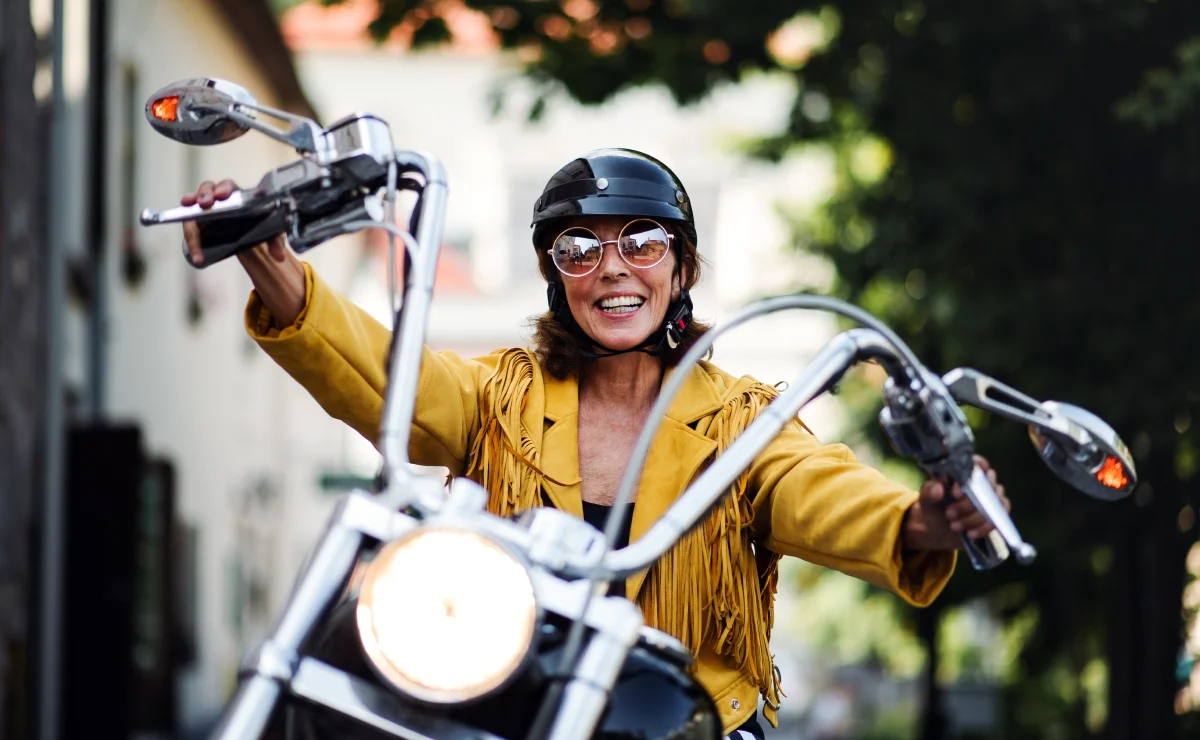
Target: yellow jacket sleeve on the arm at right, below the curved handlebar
{"type": "Point", "coordinates": [819, 503]}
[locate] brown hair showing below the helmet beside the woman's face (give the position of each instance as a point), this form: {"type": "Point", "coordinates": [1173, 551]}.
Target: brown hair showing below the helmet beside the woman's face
{"type": "Point", "coordinates": [557, 347]}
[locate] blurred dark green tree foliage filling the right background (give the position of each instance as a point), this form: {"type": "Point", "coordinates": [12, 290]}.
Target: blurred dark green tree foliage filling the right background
{"type": "Point", "coordinates": [1017, 194]}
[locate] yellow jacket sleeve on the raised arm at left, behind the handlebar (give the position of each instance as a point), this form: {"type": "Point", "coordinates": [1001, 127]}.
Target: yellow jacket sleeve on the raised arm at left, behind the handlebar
{"type": "Point", "coordinates": [338, 352]}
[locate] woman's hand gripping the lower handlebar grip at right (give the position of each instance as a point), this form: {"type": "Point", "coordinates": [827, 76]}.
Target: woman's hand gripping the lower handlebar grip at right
{"type": "Point", "coordinates": [938, 519]}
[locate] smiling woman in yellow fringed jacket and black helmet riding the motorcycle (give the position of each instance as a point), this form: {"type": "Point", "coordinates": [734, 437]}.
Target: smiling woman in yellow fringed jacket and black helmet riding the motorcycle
{"type": "Point", "coordinates": [555, 425]}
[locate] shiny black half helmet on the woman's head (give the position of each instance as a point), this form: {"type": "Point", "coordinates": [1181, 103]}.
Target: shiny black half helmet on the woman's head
{"type": "Point", "coordinates": [614, 183]}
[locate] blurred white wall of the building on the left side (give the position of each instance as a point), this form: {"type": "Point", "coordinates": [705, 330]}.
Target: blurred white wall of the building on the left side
{"type": "Point", "coordinates": [205, 396]}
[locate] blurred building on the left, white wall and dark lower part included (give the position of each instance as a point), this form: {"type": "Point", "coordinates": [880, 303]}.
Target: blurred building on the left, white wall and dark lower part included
{"type": "Point", "coordinates": [184, 444]}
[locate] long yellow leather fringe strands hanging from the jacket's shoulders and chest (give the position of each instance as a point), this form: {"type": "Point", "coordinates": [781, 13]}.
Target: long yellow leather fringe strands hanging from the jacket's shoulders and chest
{"type": "Point", "coordinates": [712, 588]}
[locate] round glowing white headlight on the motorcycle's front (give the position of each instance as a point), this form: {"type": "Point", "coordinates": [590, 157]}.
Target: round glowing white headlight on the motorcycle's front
{"type": "Point", "coordinates": [447, 616]}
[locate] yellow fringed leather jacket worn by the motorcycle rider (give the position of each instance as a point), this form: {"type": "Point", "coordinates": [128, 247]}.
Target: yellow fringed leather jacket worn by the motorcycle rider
{"type": "Point", "coordinates": [505, 423]}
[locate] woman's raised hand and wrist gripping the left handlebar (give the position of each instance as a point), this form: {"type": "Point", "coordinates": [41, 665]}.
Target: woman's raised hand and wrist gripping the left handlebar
{"type": "Point", "coordinates": [273, 267]}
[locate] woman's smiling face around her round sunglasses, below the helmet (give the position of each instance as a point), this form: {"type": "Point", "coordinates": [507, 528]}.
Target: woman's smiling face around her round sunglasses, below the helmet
{"type": "Point", "coordinates": [620, 306]}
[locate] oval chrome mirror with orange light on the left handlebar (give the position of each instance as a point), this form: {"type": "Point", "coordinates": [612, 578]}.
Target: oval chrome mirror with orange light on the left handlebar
{"type": "Point", "coordinates": [202, 111]}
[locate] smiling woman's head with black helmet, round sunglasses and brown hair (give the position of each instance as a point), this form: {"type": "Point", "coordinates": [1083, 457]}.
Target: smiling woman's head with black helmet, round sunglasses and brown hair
{"type": "Point", "coordinates": [633, 297]}
